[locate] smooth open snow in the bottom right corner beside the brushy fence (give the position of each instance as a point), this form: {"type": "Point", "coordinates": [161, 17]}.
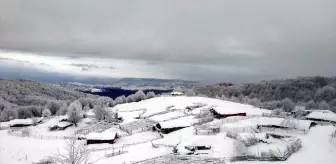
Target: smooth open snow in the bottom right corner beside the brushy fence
{"type": "Point", "coordinates": [316, 148]}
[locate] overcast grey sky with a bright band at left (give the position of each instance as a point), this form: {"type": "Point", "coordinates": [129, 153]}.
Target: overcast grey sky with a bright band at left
{"type": "Point", "coordinates": [213, 41]}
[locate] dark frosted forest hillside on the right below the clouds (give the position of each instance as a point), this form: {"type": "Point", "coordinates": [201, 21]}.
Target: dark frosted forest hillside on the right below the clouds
{"type": "Point", "coordinates": [318, 90]}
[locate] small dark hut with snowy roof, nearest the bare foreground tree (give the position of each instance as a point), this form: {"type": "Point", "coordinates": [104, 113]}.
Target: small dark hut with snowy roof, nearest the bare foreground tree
{"type": "Point", "coordinates": [101, 138]}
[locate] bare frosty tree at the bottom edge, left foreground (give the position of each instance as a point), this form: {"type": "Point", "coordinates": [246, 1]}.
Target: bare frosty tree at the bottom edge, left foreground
{"type": "Point", "coordinates": [76, 153]}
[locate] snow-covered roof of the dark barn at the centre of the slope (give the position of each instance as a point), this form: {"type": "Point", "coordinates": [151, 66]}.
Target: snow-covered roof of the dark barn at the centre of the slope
{"type": "Point", "coordinates": [181, 122]}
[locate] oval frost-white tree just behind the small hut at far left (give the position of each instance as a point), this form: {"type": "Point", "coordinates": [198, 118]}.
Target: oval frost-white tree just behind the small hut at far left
{"type": "Point", "coordinates": [75, 112]}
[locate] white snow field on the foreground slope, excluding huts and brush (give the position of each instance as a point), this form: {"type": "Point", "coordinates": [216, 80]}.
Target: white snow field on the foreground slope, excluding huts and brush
{"type": "Point", "coordinates": [317, 147]}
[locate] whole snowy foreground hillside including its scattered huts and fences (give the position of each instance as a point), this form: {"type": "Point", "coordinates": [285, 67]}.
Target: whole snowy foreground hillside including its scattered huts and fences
{"type": "Point", "coordinates": [188, 118]}
